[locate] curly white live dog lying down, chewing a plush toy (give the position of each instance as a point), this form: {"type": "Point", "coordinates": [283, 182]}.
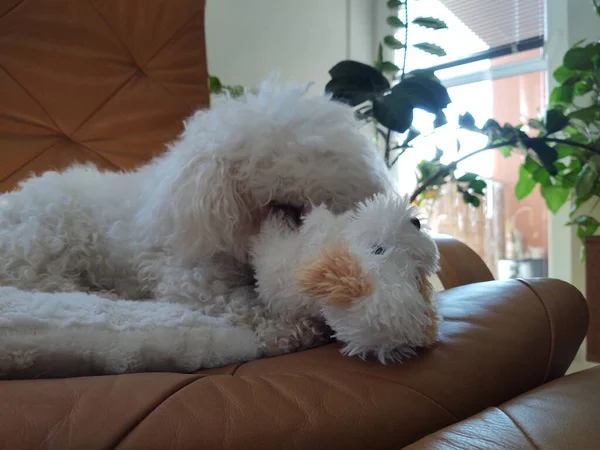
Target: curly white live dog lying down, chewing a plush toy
{"type": "Point", "coordinates": [178, 228]}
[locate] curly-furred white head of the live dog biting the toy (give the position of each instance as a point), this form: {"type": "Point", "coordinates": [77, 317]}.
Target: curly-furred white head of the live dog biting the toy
{"type": "Point", "coordinates": [237, 161]}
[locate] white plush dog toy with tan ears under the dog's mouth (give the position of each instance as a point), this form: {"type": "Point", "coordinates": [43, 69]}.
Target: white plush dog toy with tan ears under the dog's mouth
{"type": "Point", "coordinates": [366, 273]}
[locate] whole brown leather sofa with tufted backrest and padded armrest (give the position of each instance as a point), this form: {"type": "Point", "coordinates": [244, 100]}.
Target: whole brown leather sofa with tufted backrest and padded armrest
{"type": "Point", "coordinates": [109, 82]}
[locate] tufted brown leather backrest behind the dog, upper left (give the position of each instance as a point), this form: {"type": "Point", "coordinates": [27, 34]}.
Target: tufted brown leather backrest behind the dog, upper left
{"type": "Point", "coordinates": [101, 81]}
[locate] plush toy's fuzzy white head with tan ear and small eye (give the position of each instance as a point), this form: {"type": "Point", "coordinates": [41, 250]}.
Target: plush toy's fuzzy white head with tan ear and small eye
{"type": "Point", "coordinates": [372, 281]}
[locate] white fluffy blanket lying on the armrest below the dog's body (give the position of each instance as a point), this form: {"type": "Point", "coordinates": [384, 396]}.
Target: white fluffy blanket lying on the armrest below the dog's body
{"type": "Point", "coordinates": [69, 334]}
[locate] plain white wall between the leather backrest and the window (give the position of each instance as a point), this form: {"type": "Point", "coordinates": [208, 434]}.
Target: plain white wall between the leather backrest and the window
{"type": "Point", "coordinates": [302, 39]}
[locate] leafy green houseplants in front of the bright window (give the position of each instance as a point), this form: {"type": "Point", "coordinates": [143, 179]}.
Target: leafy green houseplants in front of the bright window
{"type": "Point", "coordinates": [561, 149]}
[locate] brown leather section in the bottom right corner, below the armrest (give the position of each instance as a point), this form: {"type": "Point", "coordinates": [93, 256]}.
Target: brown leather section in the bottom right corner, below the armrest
{"type": "Point", "coordinates": [559, 415]}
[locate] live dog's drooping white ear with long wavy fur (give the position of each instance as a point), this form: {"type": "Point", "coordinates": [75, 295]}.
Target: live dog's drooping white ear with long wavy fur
{"type": "Point", "coordinates": [196, 205]}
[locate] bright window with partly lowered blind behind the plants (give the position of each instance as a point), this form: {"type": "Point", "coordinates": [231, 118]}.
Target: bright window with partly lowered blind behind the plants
{"type": "Point", "coordinates": [494, 68]}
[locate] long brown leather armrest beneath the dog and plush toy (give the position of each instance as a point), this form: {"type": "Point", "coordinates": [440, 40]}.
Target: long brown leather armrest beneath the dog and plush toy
{"type": "Point", "coordinates": [498, 340]}
